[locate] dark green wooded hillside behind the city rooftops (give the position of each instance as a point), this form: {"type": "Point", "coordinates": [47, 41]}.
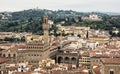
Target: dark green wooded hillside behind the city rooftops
{"type": "Point", "coordinates": [31, 20]}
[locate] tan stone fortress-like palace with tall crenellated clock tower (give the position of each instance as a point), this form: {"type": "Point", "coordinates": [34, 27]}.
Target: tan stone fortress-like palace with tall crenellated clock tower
{"type": "Point", "coordinates": [36, 51]}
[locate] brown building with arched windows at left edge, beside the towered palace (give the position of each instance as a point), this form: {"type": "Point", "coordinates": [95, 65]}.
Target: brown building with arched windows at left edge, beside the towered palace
{"type": "Point", "coordinates": [9, 50]}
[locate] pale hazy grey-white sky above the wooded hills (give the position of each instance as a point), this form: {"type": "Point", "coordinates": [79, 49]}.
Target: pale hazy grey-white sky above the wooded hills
{"type": "Point", "coordinates": [77, 5]}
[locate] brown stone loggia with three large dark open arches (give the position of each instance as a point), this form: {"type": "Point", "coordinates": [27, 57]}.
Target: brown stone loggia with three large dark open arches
{"type": "Point", "coordinates": [68, 57]}
